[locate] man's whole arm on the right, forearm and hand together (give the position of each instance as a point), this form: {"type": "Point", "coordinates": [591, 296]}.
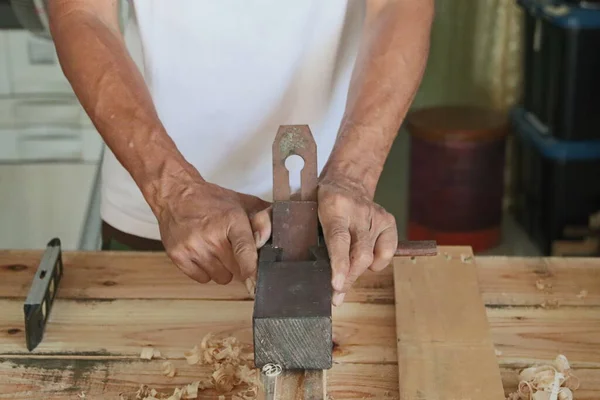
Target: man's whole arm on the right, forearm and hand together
{"type": "Point", "coordinates": [390, 64]}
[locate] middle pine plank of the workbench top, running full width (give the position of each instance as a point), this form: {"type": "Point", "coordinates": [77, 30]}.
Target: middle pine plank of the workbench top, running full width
{"type": "Point", "coordinates": [363, 333]}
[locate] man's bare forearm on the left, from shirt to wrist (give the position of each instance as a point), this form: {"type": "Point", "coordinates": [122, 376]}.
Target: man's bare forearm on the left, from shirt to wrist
{"type": "Point", "coordinates": [115, 96]}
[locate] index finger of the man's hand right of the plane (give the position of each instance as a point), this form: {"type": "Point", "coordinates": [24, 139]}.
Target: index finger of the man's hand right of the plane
{"type": "Point", "coordinates": [337, 238]}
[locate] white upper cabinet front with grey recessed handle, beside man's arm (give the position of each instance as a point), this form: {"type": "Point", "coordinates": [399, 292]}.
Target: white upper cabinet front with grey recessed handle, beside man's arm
{"type": "Point", "coordinates": [33, 65]}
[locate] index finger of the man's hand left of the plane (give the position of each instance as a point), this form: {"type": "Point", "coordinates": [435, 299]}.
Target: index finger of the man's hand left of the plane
{"type": "Point", "coordinates": [243, 246]}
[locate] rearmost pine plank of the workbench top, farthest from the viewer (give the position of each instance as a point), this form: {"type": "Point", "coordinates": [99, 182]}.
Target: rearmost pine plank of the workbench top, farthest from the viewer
{"type": "Point", "coordinates": [124, 275]}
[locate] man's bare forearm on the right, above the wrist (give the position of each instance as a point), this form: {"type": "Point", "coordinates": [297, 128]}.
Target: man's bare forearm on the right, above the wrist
{"type": "Point", "coordinates": [388, 70]}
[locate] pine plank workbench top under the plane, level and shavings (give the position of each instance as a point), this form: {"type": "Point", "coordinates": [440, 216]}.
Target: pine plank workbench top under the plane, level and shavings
{"type": "Point", "coordinates": [111, 304]}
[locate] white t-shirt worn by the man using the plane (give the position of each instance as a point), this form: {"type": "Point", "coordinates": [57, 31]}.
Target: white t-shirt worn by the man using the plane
{"type": "Point", "coordinates": [224, 75]}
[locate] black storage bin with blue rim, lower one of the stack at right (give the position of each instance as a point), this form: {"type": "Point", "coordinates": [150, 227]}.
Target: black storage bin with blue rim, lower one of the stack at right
{"type": "Point", "coordinates": [556, 183]}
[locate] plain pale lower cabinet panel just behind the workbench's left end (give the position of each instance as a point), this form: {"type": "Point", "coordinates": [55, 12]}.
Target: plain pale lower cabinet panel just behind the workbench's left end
{"type": "Point", "coordinates": [41, 201]}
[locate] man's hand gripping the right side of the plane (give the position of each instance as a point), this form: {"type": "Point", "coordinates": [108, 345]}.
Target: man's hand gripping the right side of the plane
{"type": "Point", "coordinates": [359, 234]}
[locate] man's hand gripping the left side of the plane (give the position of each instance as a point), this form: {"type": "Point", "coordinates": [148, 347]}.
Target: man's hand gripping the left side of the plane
{"type": "Point", "coordinates": [212, 233]}
